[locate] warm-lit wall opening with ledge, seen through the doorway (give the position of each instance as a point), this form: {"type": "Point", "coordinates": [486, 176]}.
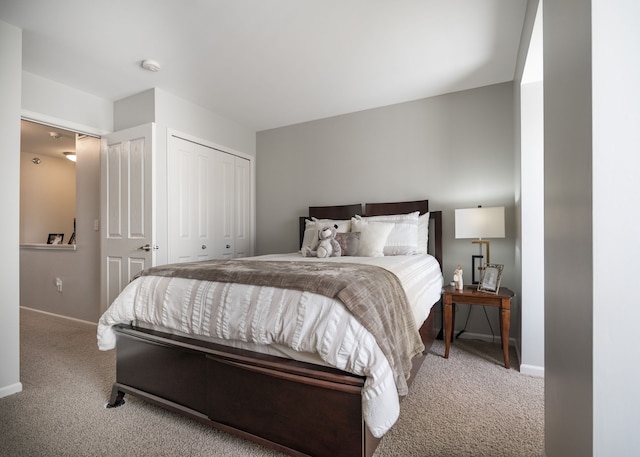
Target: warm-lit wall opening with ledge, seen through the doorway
{"type": "Point", "coordinates": [47, 183]}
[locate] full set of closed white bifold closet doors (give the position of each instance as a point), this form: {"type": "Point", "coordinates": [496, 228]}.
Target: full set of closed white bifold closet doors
{"type": "Point", "coordinates": [209, 202]}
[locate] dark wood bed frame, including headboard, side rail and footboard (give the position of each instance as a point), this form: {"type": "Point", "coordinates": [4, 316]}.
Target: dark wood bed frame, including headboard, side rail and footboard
{"type": "Point", "coordinates": [297, 408]}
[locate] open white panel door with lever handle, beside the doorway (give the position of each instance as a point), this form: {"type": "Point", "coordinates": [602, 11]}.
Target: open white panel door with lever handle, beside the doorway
{"type": "Point", "coordinates": [127, 232]}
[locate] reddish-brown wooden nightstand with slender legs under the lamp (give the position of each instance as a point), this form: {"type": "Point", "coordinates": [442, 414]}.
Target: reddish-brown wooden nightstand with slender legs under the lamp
{"type": "Point", "coordinates": [471, 296]}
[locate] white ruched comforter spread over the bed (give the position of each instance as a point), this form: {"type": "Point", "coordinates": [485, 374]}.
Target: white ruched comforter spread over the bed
{"type": "Point", "coordinates": [299, 325]}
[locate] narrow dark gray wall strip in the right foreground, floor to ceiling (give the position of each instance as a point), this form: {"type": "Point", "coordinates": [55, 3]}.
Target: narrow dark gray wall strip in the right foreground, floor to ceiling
{"type": "Point", "coordinates": [568, 229]}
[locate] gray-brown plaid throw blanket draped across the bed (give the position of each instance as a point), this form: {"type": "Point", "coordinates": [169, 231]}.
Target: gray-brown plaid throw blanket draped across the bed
{"type": "Point", "coordinates": [372, 294]}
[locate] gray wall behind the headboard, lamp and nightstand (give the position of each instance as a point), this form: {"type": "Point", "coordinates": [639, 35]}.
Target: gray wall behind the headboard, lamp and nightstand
{"type": "Point", "coordinates": [457, 150]}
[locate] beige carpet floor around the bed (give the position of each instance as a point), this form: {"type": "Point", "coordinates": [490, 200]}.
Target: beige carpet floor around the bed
{"type": "Point", "coordinates": [468, 405]}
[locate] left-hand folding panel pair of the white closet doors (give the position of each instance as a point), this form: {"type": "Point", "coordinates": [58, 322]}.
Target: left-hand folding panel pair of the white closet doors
{"type": "Point", "coordinates": [190, 200]}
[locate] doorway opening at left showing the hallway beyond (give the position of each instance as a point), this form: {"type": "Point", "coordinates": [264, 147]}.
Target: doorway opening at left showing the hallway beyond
{"type": "Point", "coordinates": [59, 221]}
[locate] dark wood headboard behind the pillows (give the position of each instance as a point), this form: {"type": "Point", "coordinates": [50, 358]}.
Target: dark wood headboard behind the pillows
{"type": "Point", "coordinates": [343, 212]}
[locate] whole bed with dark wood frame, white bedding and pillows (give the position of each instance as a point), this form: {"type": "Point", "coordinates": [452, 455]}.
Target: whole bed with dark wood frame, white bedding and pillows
{"type": "Point", "coordinates": [325, 397]}
